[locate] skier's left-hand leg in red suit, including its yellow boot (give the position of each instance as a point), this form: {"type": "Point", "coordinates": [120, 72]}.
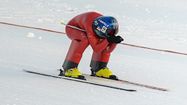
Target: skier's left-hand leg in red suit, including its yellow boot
{"type": "Point", "coordinates": [78, 45]}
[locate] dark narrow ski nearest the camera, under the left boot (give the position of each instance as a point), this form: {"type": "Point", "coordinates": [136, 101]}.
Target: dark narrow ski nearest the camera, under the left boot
{"type": "Point", "coordinates": [79, 80]}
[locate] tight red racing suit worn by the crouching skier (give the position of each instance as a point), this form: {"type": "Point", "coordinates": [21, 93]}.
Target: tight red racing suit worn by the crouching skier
{"type": "Point", "coordinates": [80, 41]}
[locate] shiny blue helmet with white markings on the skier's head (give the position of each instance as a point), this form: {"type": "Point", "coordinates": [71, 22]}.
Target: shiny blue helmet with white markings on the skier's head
{"type": "Point", "coordinates": [105, 26]}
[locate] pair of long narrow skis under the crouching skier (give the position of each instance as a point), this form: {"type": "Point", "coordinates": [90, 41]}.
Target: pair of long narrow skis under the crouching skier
{"type": "Point", "coordinates": [98, 84]}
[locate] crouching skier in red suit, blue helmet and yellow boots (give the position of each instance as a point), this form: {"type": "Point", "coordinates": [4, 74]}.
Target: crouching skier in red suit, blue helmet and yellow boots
{"type": "Point", "coordinates": [100, 33]}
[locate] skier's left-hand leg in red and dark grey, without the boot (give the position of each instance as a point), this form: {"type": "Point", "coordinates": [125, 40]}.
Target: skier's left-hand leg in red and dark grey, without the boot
{"type": "Point", "coordinates": [78, 45]}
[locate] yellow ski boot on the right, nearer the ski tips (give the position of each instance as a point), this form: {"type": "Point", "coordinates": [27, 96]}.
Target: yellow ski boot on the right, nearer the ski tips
{"type": "Point", "coordinates": [106, 73]}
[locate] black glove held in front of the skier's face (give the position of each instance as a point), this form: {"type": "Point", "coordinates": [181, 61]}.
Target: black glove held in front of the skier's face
{"type": "Point", "coordinates": [115, 39]}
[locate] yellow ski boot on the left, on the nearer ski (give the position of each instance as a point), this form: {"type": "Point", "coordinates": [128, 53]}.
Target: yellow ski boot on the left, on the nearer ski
{"type": "Point", "coordinates": [73, 73]}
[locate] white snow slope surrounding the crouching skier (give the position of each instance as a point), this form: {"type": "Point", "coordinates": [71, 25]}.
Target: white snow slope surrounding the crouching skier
{"type": "Point", "coordinates": [157, 24]}
